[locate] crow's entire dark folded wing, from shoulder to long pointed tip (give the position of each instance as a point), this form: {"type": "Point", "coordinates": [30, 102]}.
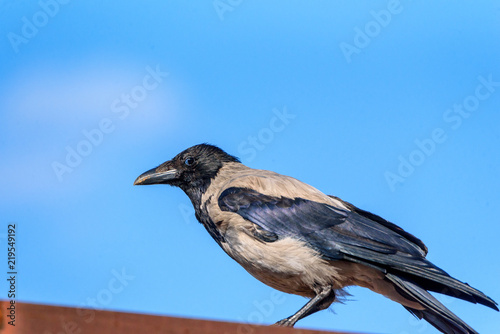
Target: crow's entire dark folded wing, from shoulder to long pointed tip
{"type": "Point", "coordinates": [339, 234]}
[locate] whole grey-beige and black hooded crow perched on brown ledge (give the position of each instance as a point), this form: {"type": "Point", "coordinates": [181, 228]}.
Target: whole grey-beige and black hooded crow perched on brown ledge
{"type": "Point", "coordinates": [294, 238]}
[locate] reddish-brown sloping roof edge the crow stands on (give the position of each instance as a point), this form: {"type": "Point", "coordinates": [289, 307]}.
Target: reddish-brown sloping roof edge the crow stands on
{"type": "Point", "coordinates": [45, 319]}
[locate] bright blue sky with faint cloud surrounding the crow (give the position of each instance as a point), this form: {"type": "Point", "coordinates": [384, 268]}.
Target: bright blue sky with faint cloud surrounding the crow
{"type": "Point", "coordinates": [390, 105]}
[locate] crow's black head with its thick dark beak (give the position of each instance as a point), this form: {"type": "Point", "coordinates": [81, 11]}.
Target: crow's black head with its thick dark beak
{"type": "Point", "coordinates": [190, 169]}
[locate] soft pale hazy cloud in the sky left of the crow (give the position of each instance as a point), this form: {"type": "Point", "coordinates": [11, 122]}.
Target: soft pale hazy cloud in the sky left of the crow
{"type": "Point", "coordinates": [47, 108]}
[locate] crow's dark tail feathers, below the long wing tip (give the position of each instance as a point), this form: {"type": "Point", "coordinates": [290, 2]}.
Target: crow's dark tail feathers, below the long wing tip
{"type": "Point", "coordinates": [435, 312]}
